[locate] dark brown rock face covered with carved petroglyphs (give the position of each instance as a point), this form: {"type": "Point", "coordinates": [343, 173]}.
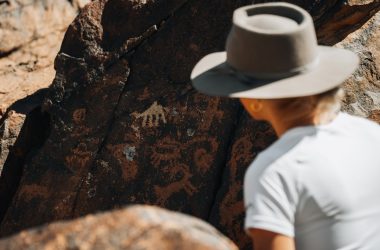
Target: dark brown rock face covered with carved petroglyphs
{"type": "Point", "coordinates": [125, 126]}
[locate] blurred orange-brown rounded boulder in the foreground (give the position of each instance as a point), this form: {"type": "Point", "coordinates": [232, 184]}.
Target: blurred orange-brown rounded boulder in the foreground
{"type": "Point", "coordinates": [135, 227]}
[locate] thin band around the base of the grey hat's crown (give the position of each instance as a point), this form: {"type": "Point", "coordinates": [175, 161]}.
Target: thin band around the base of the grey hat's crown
{"type": "Point", "coordinates": [251, 78]}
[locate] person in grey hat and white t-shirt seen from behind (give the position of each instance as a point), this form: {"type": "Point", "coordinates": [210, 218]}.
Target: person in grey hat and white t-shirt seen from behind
{"type": "Point", "coordinates": [317, 186]}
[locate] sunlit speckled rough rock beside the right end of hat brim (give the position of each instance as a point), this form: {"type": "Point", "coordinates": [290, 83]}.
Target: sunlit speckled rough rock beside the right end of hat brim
{"type": "Point", "coordinates": [363, 88]}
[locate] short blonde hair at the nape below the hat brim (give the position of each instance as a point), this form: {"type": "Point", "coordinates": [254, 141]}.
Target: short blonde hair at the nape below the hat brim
{"type": "Point", "coordinates": [302, 110]}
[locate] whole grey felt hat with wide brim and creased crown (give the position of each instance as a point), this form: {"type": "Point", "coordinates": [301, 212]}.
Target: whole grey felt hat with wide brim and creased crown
{"type": "Point", "coordinates": [272, 52]}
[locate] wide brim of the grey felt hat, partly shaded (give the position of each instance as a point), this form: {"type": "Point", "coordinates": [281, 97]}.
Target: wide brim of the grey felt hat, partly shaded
{"type": "Point", "coordinates": [213, 76]}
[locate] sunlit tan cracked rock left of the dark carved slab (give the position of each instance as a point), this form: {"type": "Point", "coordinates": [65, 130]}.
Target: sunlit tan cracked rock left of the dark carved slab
{"type": "Point", "coordinates": [31, 32]}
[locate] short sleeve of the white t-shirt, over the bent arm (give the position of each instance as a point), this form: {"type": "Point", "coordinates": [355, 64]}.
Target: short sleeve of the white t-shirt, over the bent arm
{"type": "Point", "coordinates": [270, 198]}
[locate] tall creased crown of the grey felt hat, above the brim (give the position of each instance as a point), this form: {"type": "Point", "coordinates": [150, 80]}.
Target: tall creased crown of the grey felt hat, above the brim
{"type": "Point", "coordinates": [271, 40]}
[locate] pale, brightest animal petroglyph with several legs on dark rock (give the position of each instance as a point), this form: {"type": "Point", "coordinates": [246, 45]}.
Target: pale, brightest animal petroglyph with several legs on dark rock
{"type": "Point", "coordinates": [152, 116]}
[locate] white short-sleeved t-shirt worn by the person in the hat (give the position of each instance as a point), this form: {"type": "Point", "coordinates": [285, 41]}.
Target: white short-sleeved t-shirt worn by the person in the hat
{"type": "Point", "coordinates": [319, 184]}
